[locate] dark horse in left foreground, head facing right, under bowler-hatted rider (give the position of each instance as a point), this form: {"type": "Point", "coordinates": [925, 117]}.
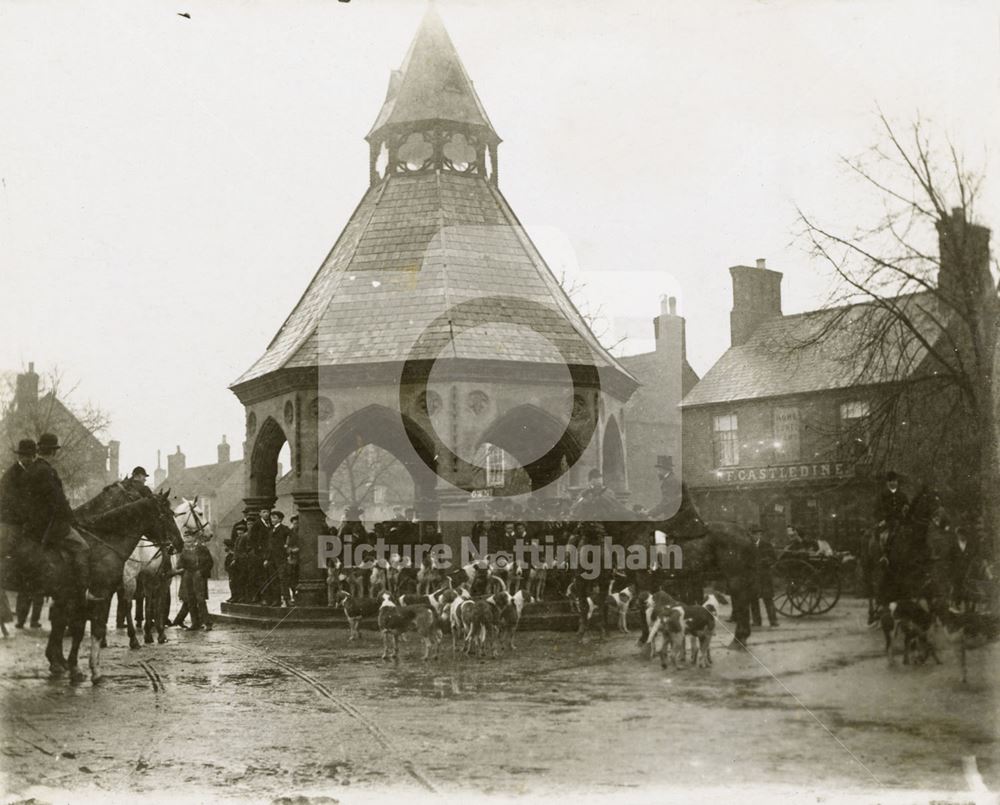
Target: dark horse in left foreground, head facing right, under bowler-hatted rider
{"type": "Point", "coordinates": [112, 536]}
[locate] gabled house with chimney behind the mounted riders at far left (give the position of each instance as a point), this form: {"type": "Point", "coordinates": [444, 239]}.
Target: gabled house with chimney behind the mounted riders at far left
{"type": "Point", "coordinates": [86, 465]}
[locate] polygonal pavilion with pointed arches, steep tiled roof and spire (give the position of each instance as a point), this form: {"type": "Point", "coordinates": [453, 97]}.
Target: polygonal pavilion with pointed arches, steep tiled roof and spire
{"type": "Point", "coordinates": [432, 329]}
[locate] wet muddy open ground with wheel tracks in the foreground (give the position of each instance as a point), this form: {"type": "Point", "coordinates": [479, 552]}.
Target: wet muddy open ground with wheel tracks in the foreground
{"type": "Point", "coordinates": [245, 714]}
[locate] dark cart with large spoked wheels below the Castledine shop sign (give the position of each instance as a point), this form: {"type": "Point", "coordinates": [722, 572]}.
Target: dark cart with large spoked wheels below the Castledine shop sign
{"type": "Point", "coordinates": [807, 583]}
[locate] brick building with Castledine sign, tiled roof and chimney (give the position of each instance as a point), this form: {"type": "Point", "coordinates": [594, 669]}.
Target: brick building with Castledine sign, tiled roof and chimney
{"type": "Point", "coordinates": [780, 431]}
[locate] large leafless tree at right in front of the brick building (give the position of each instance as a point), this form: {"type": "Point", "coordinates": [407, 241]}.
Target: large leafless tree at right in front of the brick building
{"type": "Point", "coordinates": [918, 321]}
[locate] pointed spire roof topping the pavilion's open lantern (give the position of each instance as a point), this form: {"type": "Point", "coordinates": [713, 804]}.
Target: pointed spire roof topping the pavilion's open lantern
{"type": "Point", "coordinates": [432, 84]}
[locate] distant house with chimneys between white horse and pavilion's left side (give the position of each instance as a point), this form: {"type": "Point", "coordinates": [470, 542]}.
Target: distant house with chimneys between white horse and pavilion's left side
{"type": "Point", "coordinates": [218, 488]}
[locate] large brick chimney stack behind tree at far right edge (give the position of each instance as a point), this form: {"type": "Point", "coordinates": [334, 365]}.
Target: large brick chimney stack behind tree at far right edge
{"type": "Point", "coordinates": [964, 249]}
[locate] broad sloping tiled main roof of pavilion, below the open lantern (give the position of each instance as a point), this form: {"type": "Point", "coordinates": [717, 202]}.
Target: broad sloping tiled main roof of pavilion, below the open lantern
{"type": "Point", "coordinates": [416, 246]}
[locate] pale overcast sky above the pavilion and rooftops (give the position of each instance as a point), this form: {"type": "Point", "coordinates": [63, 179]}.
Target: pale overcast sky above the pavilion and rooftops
{"type": "Point", "coordinates": [168, 186]}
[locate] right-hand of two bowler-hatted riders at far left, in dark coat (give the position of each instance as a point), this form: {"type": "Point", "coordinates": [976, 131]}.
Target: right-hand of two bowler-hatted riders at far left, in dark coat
{"type": "Point", "coordinates": [50, 517]}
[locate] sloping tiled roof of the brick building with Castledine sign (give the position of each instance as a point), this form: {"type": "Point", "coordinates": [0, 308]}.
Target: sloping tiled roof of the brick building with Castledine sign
{"type": "Point", "coordinates": [815, 351]}
